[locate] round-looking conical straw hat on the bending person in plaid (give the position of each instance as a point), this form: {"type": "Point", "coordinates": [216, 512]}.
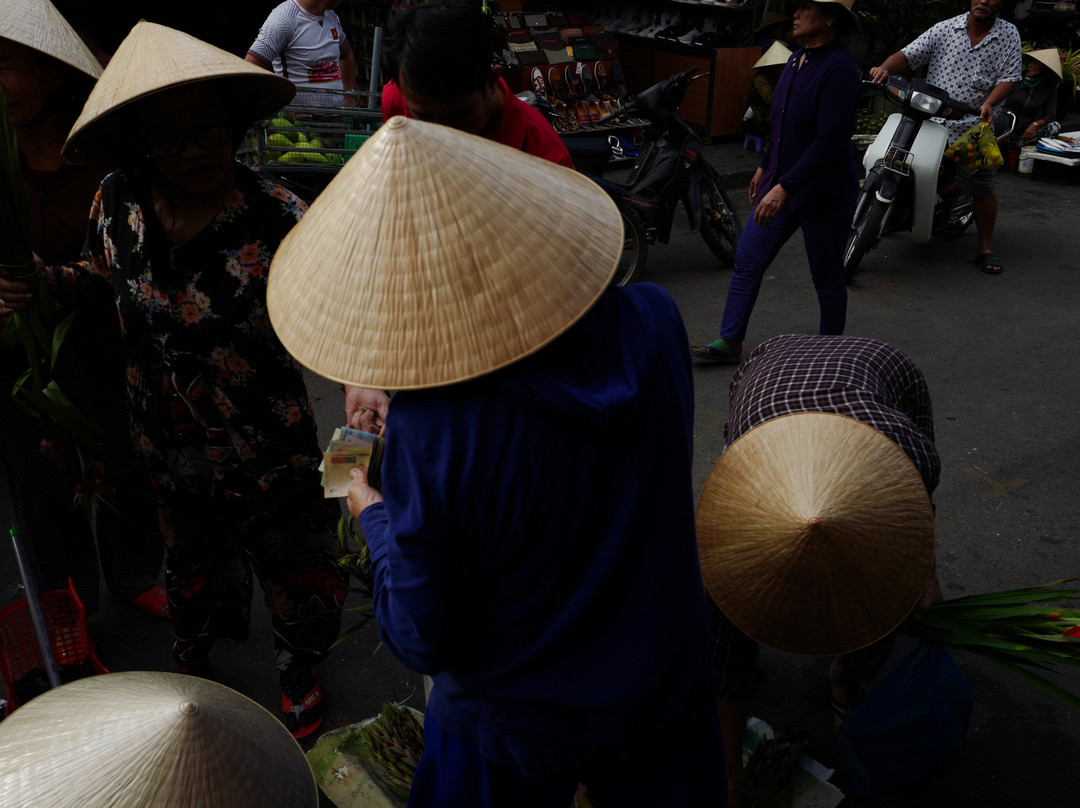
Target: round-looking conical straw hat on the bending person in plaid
{"type": "Point", "coordinates": [816, 534]}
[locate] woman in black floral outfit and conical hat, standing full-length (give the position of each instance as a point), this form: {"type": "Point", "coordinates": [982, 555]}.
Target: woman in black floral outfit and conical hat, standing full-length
{"type": "Point", "coordinates": [182, 237]}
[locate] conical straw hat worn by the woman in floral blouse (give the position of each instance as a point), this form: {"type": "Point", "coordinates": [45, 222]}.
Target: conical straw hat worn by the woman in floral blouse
{"type": "Point", "coordinates": [153, 59]}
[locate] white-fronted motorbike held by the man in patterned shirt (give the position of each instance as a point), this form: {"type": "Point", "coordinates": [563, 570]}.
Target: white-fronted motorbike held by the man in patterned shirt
{"type": "Point", "coordinates": [910, 185]}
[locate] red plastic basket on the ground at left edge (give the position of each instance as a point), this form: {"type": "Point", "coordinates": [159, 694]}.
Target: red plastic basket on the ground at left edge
{"type": "Point", "coordinates": [66, 623]}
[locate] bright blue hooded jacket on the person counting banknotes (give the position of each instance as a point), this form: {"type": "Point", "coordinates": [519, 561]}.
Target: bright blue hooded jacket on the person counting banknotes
{"type": "Point", "coordinates": [536, 550]}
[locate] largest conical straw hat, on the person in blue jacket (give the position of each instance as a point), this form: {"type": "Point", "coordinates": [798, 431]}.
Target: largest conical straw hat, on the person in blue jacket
{"type": "Point", "coordinates": [437, 257]}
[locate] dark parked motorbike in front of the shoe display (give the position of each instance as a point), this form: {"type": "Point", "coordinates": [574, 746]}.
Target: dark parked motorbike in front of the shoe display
{"type": "Point", "coordinates": [670, 169]}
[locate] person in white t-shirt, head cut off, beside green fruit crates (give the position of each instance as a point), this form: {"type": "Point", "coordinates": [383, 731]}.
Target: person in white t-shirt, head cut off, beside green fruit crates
{"type": "Point", "coordinates": [304, 42]}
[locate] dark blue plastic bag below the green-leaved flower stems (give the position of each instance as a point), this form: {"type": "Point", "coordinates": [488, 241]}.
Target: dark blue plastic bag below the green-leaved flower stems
{"type": "Point", "coordinates": [911, 728]}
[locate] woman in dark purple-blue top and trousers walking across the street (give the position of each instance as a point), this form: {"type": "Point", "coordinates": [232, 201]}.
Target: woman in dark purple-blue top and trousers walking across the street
{"type": "Point", "coordinates": [807, 179]}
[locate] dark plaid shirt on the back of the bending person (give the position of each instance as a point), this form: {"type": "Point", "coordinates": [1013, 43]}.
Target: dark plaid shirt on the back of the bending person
{"type": "Point", "coordinates": [866, 380]}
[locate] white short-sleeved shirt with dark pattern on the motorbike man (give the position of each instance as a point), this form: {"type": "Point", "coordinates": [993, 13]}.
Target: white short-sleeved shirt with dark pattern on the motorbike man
{"type": "Point", "coordinates": [969, 74]}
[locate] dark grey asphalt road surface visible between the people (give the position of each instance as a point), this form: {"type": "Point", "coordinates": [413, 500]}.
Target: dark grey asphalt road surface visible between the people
{"type": "Point", "coordinates": [1000, 354]}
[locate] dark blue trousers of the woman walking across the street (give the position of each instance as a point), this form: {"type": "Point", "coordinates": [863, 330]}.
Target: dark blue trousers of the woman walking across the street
{"type": "Point", "coordinates": [823, 235]}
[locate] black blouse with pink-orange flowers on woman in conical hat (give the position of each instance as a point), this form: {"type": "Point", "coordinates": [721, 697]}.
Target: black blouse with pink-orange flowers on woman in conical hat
{"type": "Point", "coordinates": [219, 403]}
